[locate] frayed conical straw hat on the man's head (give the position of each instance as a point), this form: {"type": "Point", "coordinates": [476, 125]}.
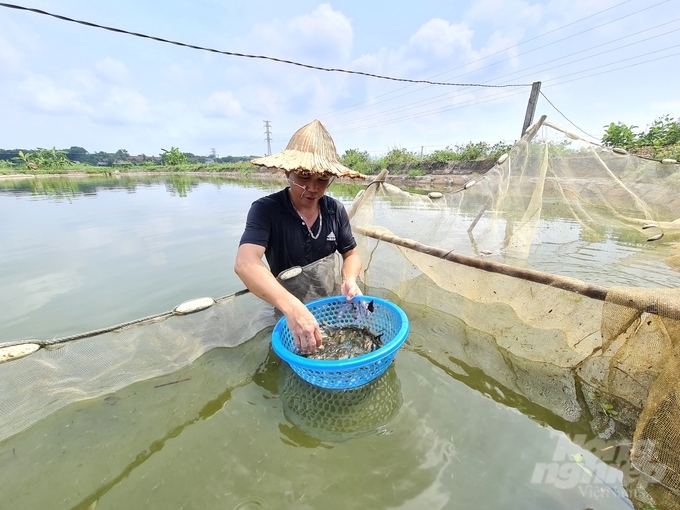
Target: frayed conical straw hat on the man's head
{"type": "Point", "coordinates": [311, 150]}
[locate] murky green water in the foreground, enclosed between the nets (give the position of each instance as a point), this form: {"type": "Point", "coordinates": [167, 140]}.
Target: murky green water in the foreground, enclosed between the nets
{"type": "Point", "coordinates": [200, 438]}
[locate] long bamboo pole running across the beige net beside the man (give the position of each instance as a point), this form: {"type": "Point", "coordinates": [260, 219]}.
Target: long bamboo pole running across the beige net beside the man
{"type": "Point", "coordinates": [560, 282]}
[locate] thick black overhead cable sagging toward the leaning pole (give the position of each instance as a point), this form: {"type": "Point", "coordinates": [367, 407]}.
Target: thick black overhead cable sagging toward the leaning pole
{"type": "Point", "coordinates": [245, 55]}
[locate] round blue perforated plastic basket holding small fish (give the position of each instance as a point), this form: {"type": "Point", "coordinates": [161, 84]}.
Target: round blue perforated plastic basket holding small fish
{"type": "Point", "coordinates": [387, 320]}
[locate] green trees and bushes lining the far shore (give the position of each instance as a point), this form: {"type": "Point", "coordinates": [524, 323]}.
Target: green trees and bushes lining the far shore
{"type": "Point", "coordinates": [659, 140]}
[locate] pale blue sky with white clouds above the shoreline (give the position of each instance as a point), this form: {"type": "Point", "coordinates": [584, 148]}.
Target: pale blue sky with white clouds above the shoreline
{"type": "Point", "coordinates": [63, 84]}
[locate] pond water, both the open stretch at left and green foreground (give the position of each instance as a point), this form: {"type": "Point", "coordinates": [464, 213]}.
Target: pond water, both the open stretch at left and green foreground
{"type": "Point", "coordinates": [80, 255]}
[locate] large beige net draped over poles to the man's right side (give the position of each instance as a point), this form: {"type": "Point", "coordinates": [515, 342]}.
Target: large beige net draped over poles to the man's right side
{"type": "Point", "coordinates": [562, 261]}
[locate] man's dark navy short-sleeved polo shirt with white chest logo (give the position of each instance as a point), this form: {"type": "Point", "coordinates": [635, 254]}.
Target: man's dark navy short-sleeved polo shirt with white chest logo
{"type": "Point", "coordinates": [274, 224]}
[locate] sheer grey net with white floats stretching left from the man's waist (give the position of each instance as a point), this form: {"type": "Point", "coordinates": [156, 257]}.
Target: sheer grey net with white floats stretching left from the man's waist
{"type": "Point", "coordinates": [92, 364]}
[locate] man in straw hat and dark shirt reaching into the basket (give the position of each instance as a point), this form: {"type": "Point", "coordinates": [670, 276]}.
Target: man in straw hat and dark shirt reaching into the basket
{"type": "Point", "coordinates": [297, 226]}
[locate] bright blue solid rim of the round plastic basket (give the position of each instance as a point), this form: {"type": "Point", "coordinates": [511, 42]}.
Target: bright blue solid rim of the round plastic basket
{"type": "Point", "coordinates": [295, 360]}
